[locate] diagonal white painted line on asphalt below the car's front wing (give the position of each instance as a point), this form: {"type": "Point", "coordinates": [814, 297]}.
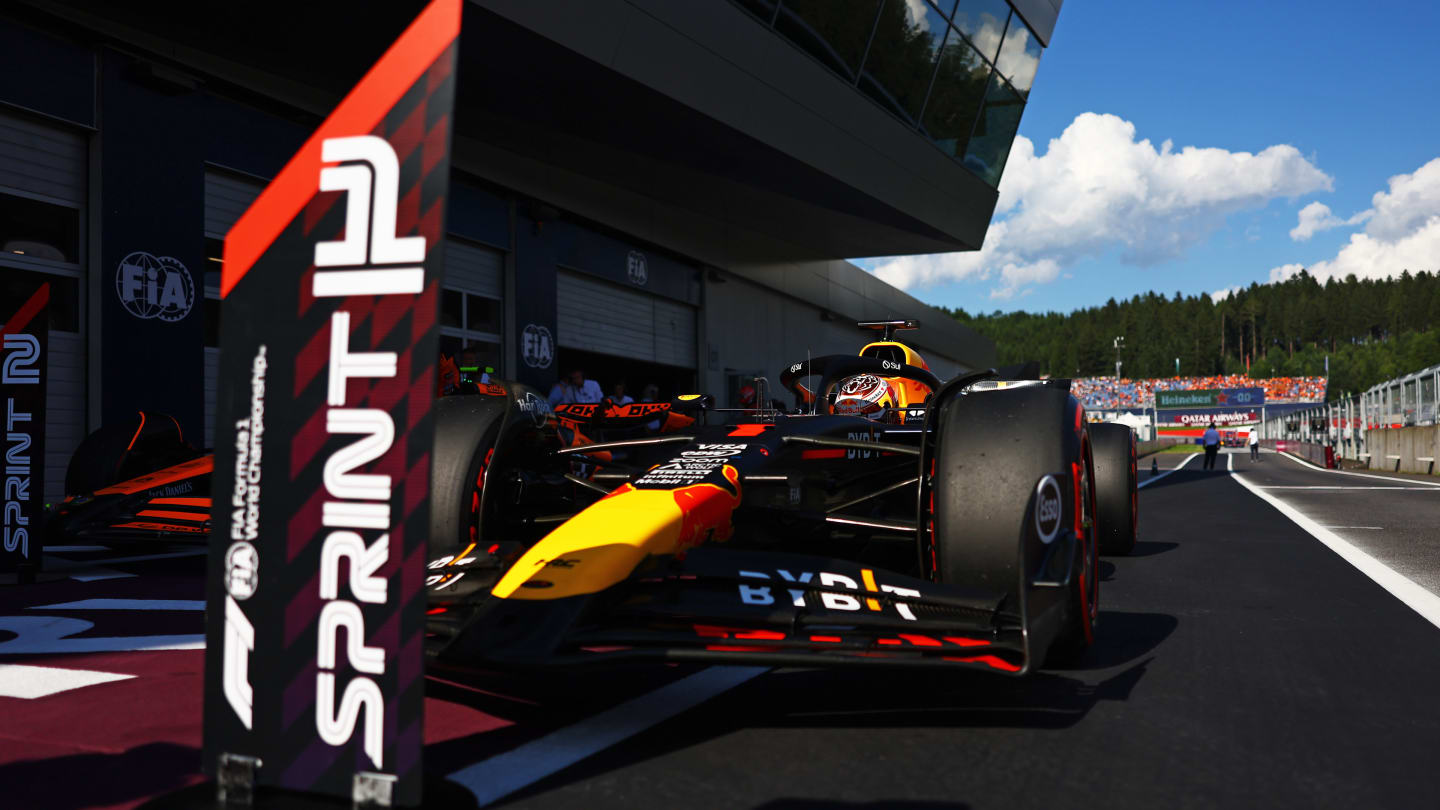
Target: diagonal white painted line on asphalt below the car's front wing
{"type": "Point", "coordinates": [506, 773]}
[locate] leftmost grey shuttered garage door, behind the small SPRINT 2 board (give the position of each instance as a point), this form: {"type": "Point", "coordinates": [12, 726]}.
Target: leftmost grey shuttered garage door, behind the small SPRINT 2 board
{"type": "Point", "coordinates": [42, 231]}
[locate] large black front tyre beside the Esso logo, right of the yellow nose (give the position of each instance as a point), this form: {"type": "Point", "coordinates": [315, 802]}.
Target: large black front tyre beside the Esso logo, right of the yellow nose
{"type": "Point", "coordinates": [993, 449]}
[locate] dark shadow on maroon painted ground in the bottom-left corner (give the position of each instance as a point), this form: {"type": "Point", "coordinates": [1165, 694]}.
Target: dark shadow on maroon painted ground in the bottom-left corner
{"type": "Point", "coordinates": [99, 780]}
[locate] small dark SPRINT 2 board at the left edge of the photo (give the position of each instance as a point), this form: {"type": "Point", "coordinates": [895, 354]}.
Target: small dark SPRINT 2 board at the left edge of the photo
{"type": "Point", "coordinates": [24, 354]}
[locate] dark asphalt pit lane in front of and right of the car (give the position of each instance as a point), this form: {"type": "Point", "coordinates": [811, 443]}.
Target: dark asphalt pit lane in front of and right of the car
{"type": "Point", "coordinates": [1241, 664]}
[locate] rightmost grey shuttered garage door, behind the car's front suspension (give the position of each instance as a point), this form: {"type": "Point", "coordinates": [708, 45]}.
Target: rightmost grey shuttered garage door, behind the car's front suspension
{"type": "Point", "coordinates": [608, 319]}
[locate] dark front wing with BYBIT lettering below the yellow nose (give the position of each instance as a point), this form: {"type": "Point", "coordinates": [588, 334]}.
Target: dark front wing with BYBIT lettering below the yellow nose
{"type": "Point", "coordinates": [735, 606]}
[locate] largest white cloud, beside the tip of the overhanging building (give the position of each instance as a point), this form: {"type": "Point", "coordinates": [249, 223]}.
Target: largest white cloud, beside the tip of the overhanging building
{"type": "Point", "coordinates": [1098, 190]}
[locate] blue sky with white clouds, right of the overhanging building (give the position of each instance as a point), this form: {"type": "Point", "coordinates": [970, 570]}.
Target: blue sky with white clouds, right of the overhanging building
{"type": "Point", "coordinates": [1330, 100]}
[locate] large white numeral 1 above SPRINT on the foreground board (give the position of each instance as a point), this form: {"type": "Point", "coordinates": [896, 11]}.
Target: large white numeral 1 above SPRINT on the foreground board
{"type": "Point", "coordinates": [371, 178]}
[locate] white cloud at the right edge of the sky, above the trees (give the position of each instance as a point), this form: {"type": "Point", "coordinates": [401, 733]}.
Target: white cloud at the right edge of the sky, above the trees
{"type": "Point", "coordinates": [1403, 233]}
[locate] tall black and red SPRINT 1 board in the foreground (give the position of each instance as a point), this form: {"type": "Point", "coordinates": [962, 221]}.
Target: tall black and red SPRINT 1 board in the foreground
{"type": "Point", "coordinates": [330, 286]}
